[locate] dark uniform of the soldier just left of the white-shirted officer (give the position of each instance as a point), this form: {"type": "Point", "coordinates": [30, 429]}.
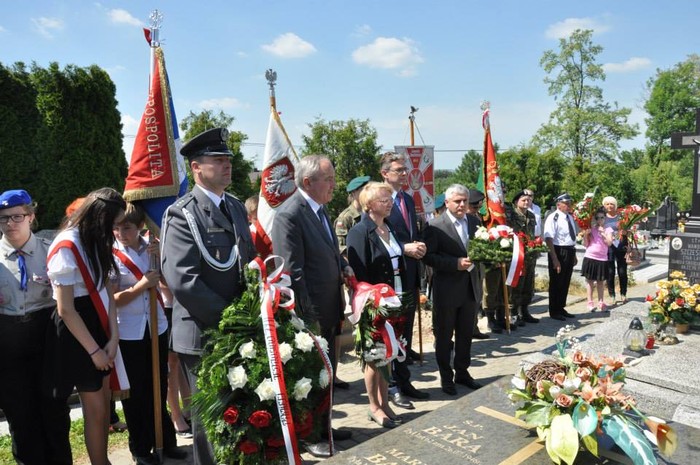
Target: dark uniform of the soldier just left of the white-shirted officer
{"type": "Point", "coordinates": [522, 294]}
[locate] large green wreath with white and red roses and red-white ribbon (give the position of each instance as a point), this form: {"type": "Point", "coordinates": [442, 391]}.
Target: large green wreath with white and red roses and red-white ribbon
{"type": "Point", "coordinates": [252, 414]}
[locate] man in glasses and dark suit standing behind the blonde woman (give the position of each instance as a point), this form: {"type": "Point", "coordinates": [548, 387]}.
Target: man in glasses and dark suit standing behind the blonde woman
{"type": "Point", "coordinates": [404, 221]}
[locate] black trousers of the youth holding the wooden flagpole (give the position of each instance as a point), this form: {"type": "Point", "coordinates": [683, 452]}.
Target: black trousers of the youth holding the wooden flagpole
{"type": "Point", "coordinates": [139, 406]}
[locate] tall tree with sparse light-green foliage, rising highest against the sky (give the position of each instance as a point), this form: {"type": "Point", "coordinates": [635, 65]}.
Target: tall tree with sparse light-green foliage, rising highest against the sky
{"type": "Point", "coordinates": [583, 126]}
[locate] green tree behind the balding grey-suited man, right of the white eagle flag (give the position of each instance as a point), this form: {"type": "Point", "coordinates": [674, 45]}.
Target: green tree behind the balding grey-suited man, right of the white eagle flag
{"type": "Point", "coordinates": [352, 147]}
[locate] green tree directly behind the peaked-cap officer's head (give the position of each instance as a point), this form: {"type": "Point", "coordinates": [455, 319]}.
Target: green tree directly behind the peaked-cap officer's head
{"type": "Point", "coordinates": [196, 123]}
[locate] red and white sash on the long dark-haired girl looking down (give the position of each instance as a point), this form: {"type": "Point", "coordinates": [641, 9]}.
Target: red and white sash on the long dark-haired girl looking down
{"type": "Point", "coordinates": [100, 299]}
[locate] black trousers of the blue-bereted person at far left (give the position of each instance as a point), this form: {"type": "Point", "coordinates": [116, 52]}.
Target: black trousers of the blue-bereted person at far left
{"type": "Point", "coordinates": [39, 424]}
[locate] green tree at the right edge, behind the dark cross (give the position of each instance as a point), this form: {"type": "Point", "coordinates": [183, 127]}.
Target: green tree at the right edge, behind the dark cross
{"type": "Point", "coordinates": [674, 94]}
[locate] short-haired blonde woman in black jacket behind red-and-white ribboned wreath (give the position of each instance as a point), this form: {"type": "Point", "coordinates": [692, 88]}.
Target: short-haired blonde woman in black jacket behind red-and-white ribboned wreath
{"type": "Point", "coordinates": [375, 255]}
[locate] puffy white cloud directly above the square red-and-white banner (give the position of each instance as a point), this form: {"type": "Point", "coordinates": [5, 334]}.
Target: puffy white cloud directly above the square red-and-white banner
{"type": "Point", "coordinates": [389, 53]}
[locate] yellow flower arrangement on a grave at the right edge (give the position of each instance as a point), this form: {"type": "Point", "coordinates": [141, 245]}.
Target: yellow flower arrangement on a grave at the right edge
{"type": "Point", "coordinates": [676, 299]}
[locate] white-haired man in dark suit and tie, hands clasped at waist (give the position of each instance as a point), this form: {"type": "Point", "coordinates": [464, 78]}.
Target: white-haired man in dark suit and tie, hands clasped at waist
{"type": "Point", "coordinates": [457, 288]}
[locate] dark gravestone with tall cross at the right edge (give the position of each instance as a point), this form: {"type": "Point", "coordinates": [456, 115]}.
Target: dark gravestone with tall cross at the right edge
{"type": "Point", "coordinates": [685, 243]}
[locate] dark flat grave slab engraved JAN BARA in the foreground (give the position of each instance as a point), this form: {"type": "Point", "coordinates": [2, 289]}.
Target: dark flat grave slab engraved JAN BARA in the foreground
{"type": "Point", "coordinates": [477, 429]}
